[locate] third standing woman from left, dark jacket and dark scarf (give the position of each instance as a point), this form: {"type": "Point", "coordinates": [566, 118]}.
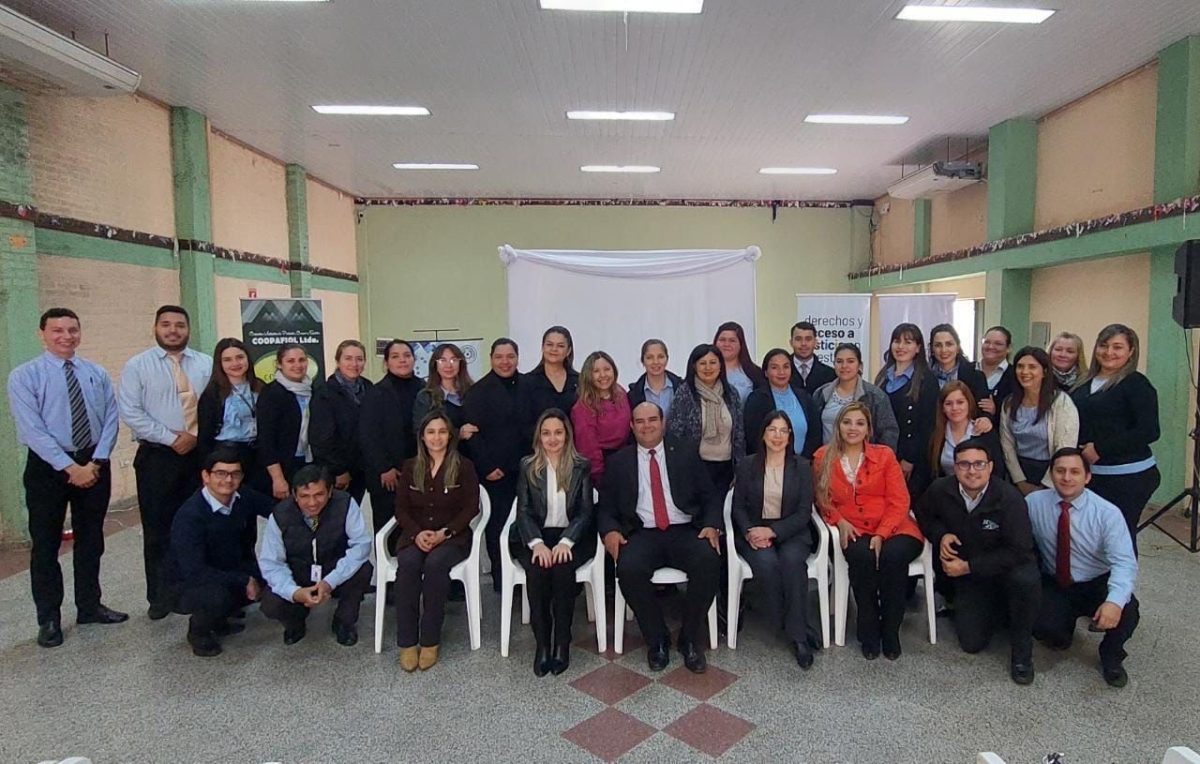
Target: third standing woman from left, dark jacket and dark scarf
{"type": "Point", "coordinates": [334, 425]}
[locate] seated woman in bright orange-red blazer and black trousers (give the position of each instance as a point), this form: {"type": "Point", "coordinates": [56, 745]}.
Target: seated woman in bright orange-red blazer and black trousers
{"type": "Point", "coordinates": [861, 490]}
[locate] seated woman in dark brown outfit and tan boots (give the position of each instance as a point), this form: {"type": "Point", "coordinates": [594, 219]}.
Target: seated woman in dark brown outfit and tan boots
{"type": "Point", "coordinates": [436, 500]}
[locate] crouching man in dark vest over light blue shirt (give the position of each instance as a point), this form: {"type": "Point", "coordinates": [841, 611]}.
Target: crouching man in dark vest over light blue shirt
{"type": "Point", "coordinates": [316, 545]}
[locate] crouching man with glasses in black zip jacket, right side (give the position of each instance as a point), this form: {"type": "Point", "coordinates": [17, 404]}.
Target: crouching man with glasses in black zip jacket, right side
{"type": "Point", "coordinates": [981, 531]}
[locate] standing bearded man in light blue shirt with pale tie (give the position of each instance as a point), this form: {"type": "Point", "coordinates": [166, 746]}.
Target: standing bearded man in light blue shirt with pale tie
{"type": "Point", "coordinates": [159, 399]}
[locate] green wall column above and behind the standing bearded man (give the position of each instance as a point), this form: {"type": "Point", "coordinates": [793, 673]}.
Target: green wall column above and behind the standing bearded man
{"type": "Point", "coordinates": [194, 222]}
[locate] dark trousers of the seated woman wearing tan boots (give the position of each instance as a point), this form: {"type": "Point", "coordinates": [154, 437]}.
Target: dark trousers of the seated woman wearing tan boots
{"type": "Point", "coordinates": [424, 580]}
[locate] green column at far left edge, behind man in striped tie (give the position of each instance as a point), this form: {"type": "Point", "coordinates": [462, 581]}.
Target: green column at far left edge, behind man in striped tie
{"type": "Point", "coordinates": [19, 303]}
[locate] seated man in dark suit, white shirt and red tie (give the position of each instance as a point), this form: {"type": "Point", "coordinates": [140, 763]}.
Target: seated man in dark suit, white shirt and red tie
{"type": "Point", "coordinates": [658, 509]}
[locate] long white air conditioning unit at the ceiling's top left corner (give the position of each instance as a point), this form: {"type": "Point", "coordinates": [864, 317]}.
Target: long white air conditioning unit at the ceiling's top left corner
{"type": "Point", "coordinates": [37, 58]}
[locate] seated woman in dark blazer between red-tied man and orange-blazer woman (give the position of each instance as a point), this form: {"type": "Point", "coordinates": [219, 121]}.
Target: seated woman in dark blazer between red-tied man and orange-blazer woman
{"type": "Point", "coordinates": [772, 513]}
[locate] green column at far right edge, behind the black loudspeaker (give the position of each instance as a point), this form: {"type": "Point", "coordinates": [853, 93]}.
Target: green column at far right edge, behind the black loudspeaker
{"type": "Point", "coordinates": [1177, 175]}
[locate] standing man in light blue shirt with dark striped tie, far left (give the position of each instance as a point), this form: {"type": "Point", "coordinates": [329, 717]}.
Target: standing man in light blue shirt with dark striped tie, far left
{"type": "Point", "coordinates": [67, 414]}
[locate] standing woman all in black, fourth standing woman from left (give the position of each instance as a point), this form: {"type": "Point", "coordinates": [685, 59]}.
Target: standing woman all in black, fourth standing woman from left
{"type": "Point", "coordinates": [386, 429]}
